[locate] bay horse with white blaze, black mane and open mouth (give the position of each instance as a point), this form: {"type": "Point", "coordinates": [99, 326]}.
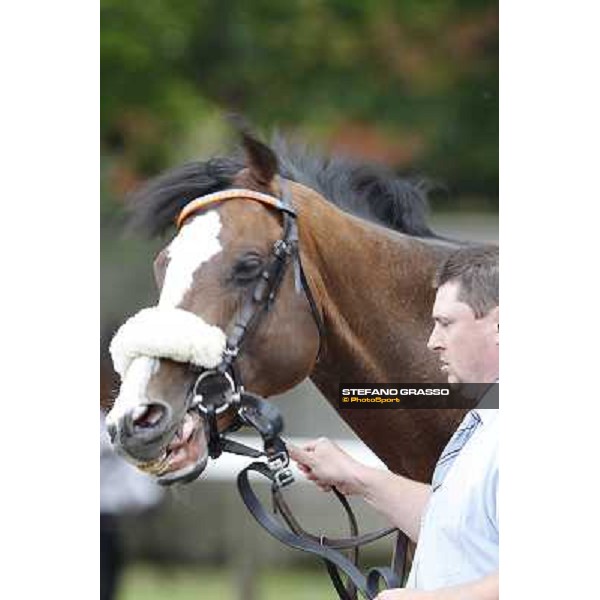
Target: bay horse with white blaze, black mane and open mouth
{"type": "Point", "coordinates": [368, 259]}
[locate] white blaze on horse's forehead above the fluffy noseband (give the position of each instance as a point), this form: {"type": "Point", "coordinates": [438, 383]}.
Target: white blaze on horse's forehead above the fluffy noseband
{"type": "Point", "coordinates": [196, 243]}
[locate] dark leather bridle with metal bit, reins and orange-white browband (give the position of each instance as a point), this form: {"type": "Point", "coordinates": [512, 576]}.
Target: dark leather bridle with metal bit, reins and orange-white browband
{"type": "Point", "coordinates": [218, 390]}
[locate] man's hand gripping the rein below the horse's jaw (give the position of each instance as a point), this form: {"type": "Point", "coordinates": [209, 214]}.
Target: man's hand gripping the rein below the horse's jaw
{"type": "Point", "coordinates": [327, 465]}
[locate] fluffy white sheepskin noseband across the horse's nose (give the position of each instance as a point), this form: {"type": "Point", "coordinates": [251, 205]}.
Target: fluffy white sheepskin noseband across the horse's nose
{"type": "Point", "coordinates": [167, 333]}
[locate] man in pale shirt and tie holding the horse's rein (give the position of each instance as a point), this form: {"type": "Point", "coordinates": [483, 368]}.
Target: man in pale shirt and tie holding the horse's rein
{"type": "Point", "coordinates": [455, 519]}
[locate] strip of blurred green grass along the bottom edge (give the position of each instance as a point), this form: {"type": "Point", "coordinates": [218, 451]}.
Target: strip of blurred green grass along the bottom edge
{"type": "Point", "coordinates": [141, 582]}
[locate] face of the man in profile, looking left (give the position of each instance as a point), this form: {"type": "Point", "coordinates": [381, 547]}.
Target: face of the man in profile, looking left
{"type": "Point", "coordinates": [467, 346]}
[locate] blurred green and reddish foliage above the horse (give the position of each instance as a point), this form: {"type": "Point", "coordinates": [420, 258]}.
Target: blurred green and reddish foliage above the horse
{"type": "Point", "coordinates": [422, 77]}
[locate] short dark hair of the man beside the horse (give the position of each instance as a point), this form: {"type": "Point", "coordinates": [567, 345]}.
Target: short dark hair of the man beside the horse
{"type": "Point", "coordinates": [475, 268]}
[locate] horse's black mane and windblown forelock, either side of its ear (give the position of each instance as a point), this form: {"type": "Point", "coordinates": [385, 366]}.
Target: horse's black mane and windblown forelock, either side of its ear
{"type": "Point", "coordinates": [366, 190]}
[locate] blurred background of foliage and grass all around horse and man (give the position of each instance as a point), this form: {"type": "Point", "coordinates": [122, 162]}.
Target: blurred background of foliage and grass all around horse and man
{"type": "Point", "coordinates": [409, 84]}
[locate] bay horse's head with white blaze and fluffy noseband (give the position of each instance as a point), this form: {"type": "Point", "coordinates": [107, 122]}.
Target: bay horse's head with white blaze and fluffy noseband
{"type": "Point", "coordinates": [210, 278]}
